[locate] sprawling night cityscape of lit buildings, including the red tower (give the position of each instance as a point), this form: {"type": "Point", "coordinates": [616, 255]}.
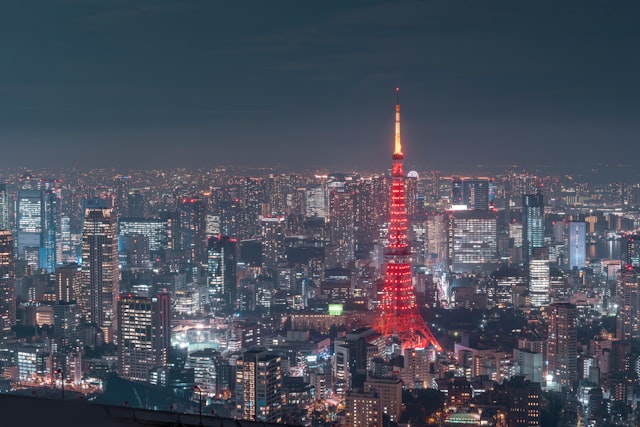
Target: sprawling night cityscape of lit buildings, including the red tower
{"type": "Point", "coordinates": [325, 299]}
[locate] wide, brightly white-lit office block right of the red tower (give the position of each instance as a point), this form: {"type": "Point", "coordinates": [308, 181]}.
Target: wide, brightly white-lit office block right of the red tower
{"type": "Point", "coordinates": [472, 239]}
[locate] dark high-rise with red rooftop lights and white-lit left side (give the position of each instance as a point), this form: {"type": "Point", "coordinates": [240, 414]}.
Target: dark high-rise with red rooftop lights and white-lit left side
{"type": "Point", "coordinates": [221, 274]}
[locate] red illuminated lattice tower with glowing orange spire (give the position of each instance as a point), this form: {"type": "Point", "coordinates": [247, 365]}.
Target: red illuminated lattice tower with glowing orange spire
{"type": "Point", "coordinates": [398, 315]}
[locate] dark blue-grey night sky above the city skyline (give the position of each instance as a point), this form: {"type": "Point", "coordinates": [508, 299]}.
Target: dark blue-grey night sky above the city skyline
{"type": "Point", "coordinates": [310, 84]}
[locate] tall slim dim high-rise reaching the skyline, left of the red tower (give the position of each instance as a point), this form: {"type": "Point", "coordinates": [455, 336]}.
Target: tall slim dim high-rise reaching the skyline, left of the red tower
{"type": "Point", "coordinates": [340, 251]}
